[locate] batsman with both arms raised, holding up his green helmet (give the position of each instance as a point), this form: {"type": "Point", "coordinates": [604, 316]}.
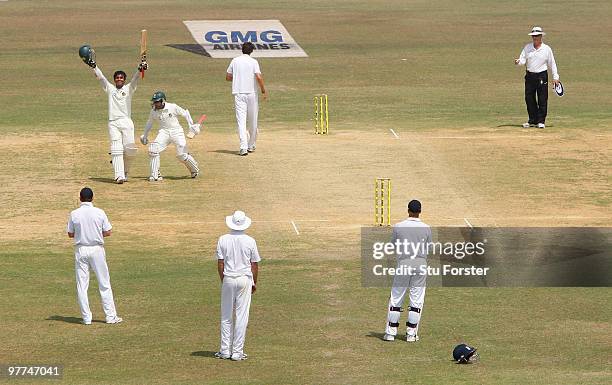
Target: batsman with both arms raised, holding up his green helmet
{"type": "Point", "coordinates": [120, 125]}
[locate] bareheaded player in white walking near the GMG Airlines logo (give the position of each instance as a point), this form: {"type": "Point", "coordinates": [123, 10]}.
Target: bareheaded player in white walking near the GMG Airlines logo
{"type": "Point", "coordinates": [243, 72]}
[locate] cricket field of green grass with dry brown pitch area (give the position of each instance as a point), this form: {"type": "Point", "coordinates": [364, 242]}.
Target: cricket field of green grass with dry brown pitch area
{"type": "Point", "coordinates": [311, 321]}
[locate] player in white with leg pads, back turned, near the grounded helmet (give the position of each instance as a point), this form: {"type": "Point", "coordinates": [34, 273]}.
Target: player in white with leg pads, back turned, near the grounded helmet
{"type": "Point", "coordinates": [414, 232]}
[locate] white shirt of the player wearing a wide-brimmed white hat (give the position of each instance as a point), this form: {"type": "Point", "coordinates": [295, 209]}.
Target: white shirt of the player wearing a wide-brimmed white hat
{"type": "Point", "coordinates": [238, 251]}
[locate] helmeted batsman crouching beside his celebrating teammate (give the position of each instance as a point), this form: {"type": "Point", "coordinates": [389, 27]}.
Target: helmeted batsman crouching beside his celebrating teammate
{"type": "Point", "coordinates": [170, 131]}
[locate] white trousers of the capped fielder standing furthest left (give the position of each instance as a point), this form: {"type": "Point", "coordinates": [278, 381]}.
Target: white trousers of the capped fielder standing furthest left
{"type": "Point", "coordinates": [93, 257]}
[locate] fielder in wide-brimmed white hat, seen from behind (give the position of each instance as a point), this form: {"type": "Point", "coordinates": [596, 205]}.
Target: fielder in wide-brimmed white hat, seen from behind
{"type": "Point", "coordinates": [237, 264]}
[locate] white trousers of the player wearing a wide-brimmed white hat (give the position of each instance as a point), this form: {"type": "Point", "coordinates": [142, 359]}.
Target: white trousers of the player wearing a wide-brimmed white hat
{"type": "Point", "coordinates": [235, 302]}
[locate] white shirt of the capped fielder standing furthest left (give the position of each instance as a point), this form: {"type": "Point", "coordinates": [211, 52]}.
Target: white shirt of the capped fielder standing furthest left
{"type": "Point", "coordinates": [87, 223]}
